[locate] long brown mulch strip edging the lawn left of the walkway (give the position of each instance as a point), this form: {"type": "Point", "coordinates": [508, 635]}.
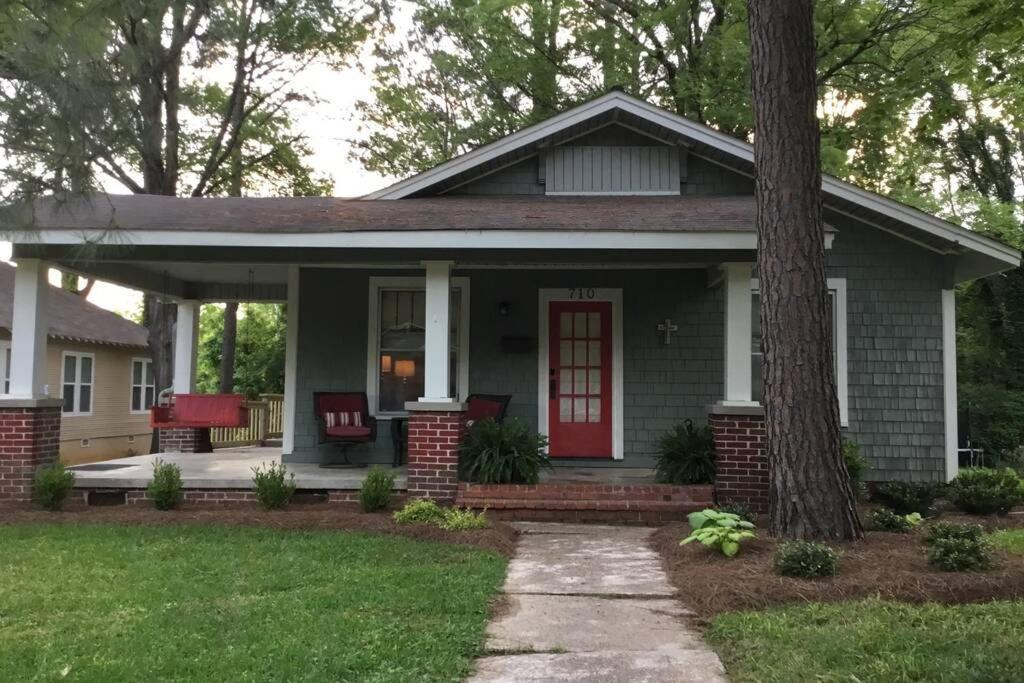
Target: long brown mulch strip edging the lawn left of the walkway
{"type": "Point", "coordinates": [500, 537]}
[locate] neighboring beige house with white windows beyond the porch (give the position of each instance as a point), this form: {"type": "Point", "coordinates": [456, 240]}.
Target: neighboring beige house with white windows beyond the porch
{"type": "Point", "coordinates": [99, 363]}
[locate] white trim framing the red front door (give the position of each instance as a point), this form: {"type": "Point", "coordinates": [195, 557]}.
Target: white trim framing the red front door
{"type": "Point", "coordinates": [615, 296]}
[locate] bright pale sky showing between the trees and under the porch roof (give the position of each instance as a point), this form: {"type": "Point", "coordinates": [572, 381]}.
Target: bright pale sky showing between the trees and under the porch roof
{"type": "Point", "coordinates": [329, 125]}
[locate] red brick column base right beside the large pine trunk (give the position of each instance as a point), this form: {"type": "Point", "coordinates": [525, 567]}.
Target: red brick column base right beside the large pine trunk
{"type": "Point", "coordinates": [743, 462]}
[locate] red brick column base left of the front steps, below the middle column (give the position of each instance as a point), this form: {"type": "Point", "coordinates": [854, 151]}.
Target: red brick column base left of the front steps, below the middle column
{"type": "Point", "coordinates": [435, 438]}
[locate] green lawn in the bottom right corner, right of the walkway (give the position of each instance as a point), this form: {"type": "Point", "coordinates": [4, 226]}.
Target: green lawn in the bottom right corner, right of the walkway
{"type": "Point", "coordinates": [874, 642]}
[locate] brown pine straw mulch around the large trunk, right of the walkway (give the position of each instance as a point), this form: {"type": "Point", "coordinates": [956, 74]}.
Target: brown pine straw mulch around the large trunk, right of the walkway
{"type": "Point", "coordinates": [884, 566]}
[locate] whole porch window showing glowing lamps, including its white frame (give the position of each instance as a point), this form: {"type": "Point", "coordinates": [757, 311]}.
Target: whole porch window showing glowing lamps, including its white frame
{"type": "Point", "coordinates": [398, 326]}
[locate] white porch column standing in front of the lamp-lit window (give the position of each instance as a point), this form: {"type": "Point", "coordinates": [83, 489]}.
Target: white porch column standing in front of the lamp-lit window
{"type": "Point", "coordinates": [437, 346]}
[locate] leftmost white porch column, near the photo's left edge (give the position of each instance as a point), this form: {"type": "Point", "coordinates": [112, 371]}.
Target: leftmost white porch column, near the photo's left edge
{"type": "Point", "coordinates": [29, 323]}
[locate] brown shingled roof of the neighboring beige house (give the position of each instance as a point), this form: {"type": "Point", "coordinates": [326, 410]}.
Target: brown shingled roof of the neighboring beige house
{"type": "Point", "coordinates": [73, 318]}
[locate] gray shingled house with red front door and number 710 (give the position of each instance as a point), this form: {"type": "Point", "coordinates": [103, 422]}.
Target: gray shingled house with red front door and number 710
{"type": "Point", "coordinates": [598, 267]}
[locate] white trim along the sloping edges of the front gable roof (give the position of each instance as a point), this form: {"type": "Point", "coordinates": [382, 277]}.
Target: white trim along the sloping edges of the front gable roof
{"type": "Point", "coordinates": [703, 135]}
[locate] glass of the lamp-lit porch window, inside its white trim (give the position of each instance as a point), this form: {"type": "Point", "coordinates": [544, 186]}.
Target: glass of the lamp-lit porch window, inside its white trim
{"type": "Point", "coordinates": [401, 336]}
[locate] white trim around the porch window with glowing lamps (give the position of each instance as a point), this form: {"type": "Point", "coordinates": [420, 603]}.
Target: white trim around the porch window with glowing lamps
{"type": "Point", "coordinates": [377, 284]}
